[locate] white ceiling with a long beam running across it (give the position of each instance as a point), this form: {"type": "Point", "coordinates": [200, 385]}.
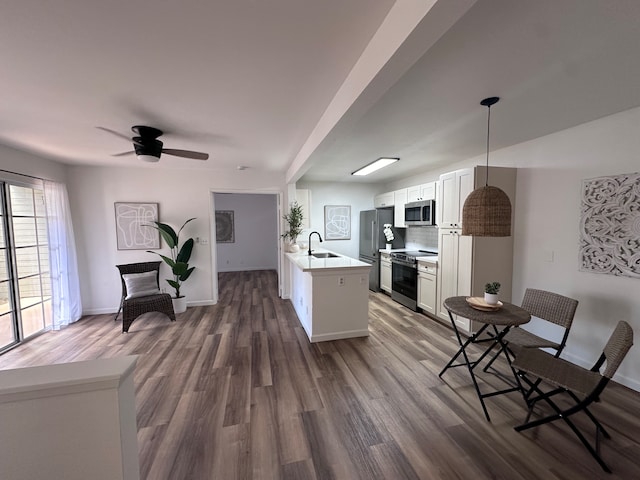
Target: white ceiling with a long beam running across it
{"type": "Point", "coordinates": [310, 89]}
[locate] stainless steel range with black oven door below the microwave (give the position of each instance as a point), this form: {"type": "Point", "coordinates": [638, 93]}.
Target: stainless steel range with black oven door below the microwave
{"type": "Point", "coordinates": [404, 277]}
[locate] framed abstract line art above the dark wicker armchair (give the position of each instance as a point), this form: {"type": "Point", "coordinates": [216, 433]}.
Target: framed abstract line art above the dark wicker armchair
{"type": "Point", "coordinates": [132, 226]}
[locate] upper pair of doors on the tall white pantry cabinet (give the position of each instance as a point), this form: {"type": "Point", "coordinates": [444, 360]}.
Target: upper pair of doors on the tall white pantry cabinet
{"type": "Point", "coordinates": [454, 189]}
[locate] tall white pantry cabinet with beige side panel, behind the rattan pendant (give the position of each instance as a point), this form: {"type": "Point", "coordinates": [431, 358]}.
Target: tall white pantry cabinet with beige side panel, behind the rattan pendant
{"type": "Point", "coordinates": [466, 263]}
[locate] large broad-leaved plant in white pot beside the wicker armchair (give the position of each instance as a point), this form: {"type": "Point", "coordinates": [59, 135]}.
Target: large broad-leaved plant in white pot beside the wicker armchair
{"type": "Point", "coordinates": [178, 262]}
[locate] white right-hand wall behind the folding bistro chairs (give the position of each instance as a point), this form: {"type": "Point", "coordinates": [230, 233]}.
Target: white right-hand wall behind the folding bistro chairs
{"type": "Point", "coordinates": [547, 215]}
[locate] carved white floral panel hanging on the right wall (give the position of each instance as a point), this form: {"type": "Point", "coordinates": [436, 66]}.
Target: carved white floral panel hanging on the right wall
{"type": "Point", "coordinates": [610, 225]}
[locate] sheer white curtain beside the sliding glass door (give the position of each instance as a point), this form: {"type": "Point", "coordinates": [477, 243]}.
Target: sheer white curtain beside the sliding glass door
{"type": "Point", "coordinates": [65, 287]}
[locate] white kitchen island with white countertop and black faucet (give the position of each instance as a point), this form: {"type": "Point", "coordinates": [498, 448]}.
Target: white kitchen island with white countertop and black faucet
{"type": "Point", "coordinates": [330, 295]}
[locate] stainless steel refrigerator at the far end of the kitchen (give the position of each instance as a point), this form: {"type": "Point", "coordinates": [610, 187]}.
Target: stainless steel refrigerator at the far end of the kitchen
{"type": "Point", "coordinates": [372, 239]}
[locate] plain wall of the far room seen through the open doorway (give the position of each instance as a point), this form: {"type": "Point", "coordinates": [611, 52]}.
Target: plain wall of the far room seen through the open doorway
{"type": "Point", "coordinates": [255, 245]}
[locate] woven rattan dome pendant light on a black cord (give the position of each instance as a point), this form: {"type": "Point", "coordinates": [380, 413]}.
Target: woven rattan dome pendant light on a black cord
{"type": "Point", "coordinates": [487, 210]}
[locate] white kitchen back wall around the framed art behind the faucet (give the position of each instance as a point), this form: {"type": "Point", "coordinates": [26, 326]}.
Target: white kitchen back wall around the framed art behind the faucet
{"type": "Point", "coordinates": [358, 196]}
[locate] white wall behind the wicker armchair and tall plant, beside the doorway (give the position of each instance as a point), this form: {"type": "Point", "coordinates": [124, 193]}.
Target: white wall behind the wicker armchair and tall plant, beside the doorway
{"type": "Point", "coordinates": [182, 194]}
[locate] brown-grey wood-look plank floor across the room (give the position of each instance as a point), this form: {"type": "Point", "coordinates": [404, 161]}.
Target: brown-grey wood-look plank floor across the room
{"type": "Point", "coordinates": [236, 391]}
